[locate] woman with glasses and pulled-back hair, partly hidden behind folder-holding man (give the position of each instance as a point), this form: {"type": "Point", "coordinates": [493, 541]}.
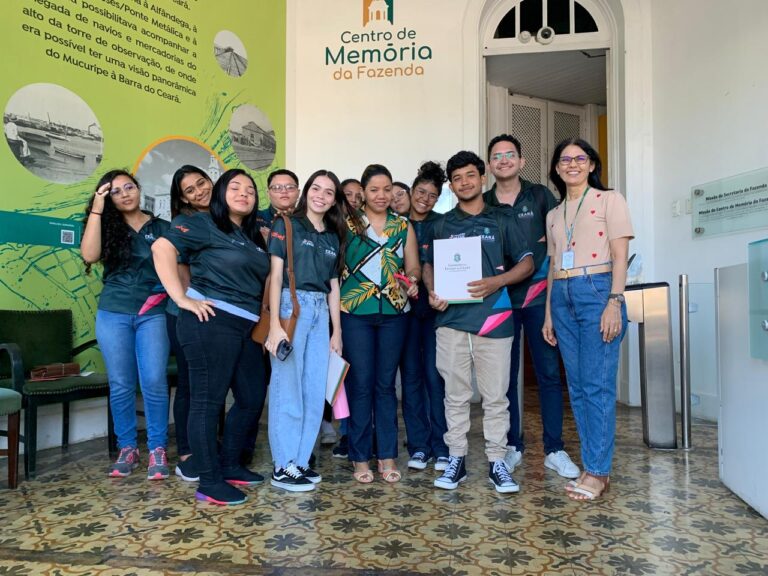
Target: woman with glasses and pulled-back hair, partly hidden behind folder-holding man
{"type": "Point", "coordinates": [423, 389]}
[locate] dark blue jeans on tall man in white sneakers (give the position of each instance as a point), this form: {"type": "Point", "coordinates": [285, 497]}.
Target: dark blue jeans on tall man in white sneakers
{"type": "Point", "coordinates": [546, 364]}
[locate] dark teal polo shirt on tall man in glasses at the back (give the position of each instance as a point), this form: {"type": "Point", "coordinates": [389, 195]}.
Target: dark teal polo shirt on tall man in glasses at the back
{"type": "Point", "coordinates": [530, 213]}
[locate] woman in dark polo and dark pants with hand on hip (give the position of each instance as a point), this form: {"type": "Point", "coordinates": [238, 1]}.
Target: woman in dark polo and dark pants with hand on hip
{"type": "Point", "coordinates": [228, 265]}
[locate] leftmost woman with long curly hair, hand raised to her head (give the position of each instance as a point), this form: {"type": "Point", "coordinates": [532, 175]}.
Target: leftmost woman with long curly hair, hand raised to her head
{"type": "Point", "coordinates": [130, 319]}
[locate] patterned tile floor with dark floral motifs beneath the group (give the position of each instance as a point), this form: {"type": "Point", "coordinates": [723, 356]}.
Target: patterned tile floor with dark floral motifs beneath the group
{"type": "Point", "coordinates": [667, 513]}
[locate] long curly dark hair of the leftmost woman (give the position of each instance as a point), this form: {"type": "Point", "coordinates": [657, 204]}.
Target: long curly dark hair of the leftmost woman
{"type": "Point", "coordinates": [115, 232]}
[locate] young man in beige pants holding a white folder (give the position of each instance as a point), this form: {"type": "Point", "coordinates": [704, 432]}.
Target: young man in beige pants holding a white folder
{"type": "Point", "coordinates": [479, 332]}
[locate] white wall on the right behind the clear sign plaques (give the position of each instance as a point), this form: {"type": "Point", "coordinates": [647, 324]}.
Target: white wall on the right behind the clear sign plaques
{"type": "Point", "coordinates": [709, 118]}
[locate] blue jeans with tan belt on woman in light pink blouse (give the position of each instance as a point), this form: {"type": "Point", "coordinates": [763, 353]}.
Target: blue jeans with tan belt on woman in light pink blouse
{"type": "Point", "coordinates": [590, 364]}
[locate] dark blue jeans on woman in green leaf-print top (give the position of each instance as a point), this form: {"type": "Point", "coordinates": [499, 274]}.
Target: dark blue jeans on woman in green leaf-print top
{"type": "Point", "coordinates": [372, 346]}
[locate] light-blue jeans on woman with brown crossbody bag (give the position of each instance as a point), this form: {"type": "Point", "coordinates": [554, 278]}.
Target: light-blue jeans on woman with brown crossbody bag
{"type": "Point", "coordinates": [297, 387]}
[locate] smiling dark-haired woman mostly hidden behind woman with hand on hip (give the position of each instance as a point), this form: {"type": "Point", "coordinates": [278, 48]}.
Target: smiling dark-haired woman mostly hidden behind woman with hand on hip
{"type": "Point", "coordinates": [190, 193]}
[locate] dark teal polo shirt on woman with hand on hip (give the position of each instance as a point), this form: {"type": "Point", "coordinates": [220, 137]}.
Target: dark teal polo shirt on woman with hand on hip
{"type": "Point", "coordinates": [228, 267]}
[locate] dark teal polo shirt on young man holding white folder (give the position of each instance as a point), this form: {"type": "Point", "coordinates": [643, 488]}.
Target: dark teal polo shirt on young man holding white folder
{"type": "Point", "coordinates": [503, 246]}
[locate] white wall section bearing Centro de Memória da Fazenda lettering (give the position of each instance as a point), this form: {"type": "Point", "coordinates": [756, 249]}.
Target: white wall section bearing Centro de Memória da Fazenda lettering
{"type": "Point", "coordinates": [344, 125]}
